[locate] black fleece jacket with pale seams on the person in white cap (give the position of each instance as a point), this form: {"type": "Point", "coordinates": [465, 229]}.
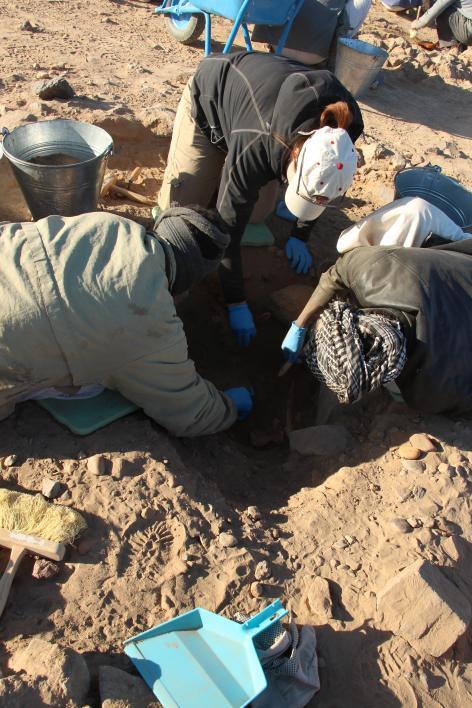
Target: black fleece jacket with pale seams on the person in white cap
{"type": "Point", "coordinates": [252, 105]}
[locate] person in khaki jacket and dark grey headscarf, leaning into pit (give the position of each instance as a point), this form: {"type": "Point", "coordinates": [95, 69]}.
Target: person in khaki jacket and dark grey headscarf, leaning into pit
{"type": "Point", "coordinates": [88, 300]}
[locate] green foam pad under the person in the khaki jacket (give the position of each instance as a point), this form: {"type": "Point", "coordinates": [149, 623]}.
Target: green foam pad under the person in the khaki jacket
{"type": "Point", "coordinates": [84, 416]}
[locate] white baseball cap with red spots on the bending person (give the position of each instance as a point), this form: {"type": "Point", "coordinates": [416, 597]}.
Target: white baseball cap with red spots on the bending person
{"type": "Point", "coordinates": [325, 168]}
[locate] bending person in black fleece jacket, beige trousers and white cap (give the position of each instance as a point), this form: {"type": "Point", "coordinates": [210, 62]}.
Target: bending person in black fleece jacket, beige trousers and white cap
{"type": "Point", "coordinates": [242, 122]}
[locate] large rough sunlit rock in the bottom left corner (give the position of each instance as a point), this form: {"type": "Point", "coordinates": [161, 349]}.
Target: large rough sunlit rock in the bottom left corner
{"type": "Point", "coordinates": [63, 673]}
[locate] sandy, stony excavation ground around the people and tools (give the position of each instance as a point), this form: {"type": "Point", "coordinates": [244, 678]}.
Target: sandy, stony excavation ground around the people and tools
{"type": "Point", "coordinates": [154, 544]}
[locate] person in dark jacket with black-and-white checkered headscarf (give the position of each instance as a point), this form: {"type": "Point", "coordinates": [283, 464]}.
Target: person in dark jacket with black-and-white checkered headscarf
{"type": "Point", "coordinates": [392, 315]}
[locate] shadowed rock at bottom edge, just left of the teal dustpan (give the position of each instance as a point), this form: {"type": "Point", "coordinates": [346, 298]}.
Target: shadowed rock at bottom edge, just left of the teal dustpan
{"type": "Point", "coordinates": [119, 689]}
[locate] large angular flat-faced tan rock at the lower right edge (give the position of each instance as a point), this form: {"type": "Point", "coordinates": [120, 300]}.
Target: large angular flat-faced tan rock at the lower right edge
{"type": "Point", "coordinates": [421, 605]}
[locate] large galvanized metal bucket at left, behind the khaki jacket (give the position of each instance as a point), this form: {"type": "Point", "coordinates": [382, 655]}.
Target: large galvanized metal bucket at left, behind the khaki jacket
{"type": "Point", "coordinates": [70, 187]}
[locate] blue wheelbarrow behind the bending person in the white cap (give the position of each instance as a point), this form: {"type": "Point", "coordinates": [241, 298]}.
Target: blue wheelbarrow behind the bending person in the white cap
{"type": "Point", "coordinates": [188, 18]}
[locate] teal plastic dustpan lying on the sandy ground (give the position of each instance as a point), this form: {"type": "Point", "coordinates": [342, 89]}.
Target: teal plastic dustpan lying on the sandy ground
{"type": "Point", "coordinates": [203, 660]}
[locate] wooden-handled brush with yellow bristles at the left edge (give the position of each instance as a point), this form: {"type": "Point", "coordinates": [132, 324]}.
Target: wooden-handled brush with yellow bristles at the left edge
{"type": "Point", "coordinates": [29, 524]}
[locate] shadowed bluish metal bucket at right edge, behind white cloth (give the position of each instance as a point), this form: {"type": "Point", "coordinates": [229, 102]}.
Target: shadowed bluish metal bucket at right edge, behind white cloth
{"type": "Point", "coordinates": [445, 193]}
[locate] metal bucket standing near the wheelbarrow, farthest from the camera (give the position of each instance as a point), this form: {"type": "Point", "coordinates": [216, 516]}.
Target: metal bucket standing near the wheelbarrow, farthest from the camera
{"type": "Point", "coordinates": [357, 64]}
